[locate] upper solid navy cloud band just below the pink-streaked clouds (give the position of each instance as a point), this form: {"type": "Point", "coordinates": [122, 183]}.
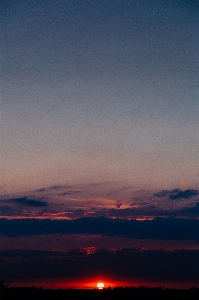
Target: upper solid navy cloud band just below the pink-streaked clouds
{"type": "Point", "coordinates": [159, 228]}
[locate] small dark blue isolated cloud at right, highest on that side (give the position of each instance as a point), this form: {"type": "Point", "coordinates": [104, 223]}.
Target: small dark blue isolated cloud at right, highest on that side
{"type": "Point", "coordinates": [177, 194]}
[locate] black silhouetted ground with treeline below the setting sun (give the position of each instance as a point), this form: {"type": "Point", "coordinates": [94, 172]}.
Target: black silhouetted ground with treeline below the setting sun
{"type": "Point", "coordinates": [109, 294]}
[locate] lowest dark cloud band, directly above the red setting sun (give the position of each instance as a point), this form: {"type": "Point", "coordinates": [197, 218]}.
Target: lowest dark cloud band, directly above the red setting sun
{"type": "Point", "coordinates": [129, 263]}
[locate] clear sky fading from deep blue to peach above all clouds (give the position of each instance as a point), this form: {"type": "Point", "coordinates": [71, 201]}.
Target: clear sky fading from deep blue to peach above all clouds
{"type": "Point", "coordinates": [100, 91]}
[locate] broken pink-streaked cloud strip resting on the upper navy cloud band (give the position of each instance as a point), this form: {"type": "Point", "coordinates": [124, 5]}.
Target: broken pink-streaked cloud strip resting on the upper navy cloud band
{"type": "Point", "coordinates": [43, 209]}
